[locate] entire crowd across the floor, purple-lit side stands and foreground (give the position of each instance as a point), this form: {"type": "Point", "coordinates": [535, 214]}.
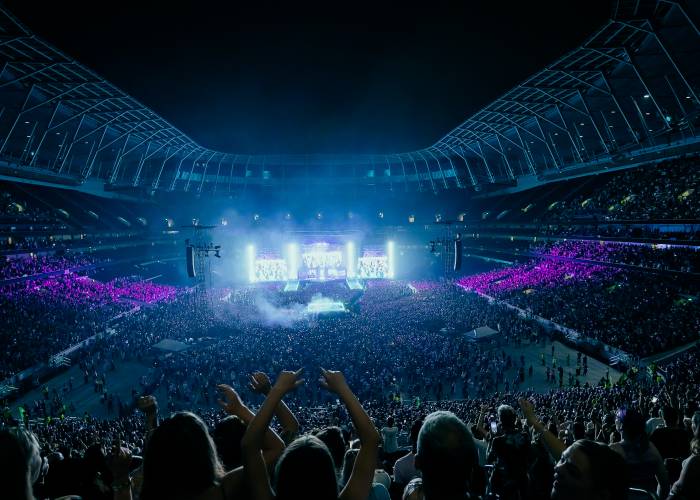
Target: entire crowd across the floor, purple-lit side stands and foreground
{"type": "Point", "coordinates": [415, 409]}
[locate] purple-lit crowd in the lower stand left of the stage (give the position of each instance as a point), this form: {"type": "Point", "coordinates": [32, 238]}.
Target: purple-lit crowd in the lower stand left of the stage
{"type": "Point", "coordinates": [49, 314]}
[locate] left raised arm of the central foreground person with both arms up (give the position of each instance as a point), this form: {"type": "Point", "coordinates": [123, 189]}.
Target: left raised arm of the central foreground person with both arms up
{"type": "Point", "coordinates": [254, 464]}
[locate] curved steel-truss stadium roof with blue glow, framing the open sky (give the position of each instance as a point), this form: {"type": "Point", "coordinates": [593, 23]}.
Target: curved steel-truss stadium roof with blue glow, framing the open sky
{"type": "Point", "coordinates": [632, 86]}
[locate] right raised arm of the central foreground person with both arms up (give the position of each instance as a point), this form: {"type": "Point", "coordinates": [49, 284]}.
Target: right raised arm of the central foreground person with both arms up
{"type": "Point", "coordinates": [360, 483]}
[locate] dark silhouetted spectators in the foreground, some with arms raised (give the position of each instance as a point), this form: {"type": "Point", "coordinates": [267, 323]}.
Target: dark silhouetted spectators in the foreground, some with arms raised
{"type": "Point", "coordinates": [533, 449]}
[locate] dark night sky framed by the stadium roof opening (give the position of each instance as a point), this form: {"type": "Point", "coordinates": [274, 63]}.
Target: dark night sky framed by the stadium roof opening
{"type": "Point", "coordinates": [296, 77]}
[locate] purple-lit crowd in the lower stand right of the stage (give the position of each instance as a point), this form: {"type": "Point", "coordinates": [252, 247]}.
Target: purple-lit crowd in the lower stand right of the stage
{"type": "Point", "coordinates": [638, 312]}
